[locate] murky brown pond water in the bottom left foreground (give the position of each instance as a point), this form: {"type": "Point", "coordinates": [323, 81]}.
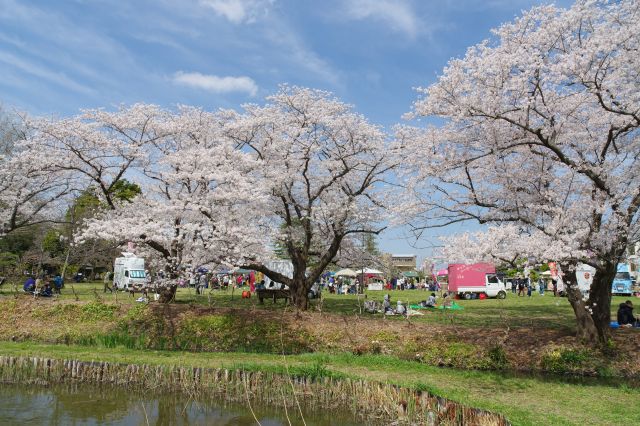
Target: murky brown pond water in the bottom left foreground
{"type": "Point", "coordinates": [92, 405]}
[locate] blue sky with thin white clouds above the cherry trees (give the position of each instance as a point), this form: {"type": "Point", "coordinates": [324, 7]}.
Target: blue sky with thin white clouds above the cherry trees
{"type": "Point", "coordinates": [57, 57]}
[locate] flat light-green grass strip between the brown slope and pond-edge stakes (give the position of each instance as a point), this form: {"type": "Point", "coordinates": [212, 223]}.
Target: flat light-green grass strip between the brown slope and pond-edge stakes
{"type": "Point", "coordinates": [523, 400]}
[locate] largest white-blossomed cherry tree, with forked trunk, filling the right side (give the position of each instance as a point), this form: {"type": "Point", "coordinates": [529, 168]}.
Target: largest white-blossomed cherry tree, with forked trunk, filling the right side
{"type": "Point", "coordinates": [540, 129]}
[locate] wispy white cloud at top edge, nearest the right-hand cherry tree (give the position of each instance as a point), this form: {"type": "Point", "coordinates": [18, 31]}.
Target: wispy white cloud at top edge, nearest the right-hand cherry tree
{"type": "Point", "coordinates": [398, 14]}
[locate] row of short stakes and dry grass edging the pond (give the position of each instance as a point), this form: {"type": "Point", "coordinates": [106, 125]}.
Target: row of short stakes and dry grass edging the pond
{"type": "Point", "coordinates": [316, 388]}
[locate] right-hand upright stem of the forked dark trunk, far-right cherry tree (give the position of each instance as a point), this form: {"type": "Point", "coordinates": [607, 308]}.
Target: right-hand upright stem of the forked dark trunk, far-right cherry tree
{"type": "Point", "coordinates": [600, 299]}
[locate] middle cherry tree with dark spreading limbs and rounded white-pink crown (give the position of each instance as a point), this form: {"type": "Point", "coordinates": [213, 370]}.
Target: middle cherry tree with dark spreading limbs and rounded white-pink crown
{"type": "Point", "coordinates": [323, 170]}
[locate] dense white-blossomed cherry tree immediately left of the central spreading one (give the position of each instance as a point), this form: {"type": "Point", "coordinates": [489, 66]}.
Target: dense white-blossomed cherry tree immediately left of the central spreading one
{"type": "Point", "coordinates": [195, 206]}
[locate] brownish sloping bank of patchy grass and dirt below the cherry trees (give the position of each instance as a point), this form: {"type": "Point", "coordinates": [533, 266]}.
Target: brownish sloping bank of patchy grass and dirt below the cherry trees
{"type": "Point", "coordinates": [197, 328]}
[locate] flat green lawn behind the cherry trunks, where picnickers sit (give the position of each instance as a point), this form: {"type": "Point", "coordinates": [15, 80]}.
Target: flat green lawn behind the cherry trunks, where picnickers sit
{"type": "Point", "coordinates": [538, 311]}
